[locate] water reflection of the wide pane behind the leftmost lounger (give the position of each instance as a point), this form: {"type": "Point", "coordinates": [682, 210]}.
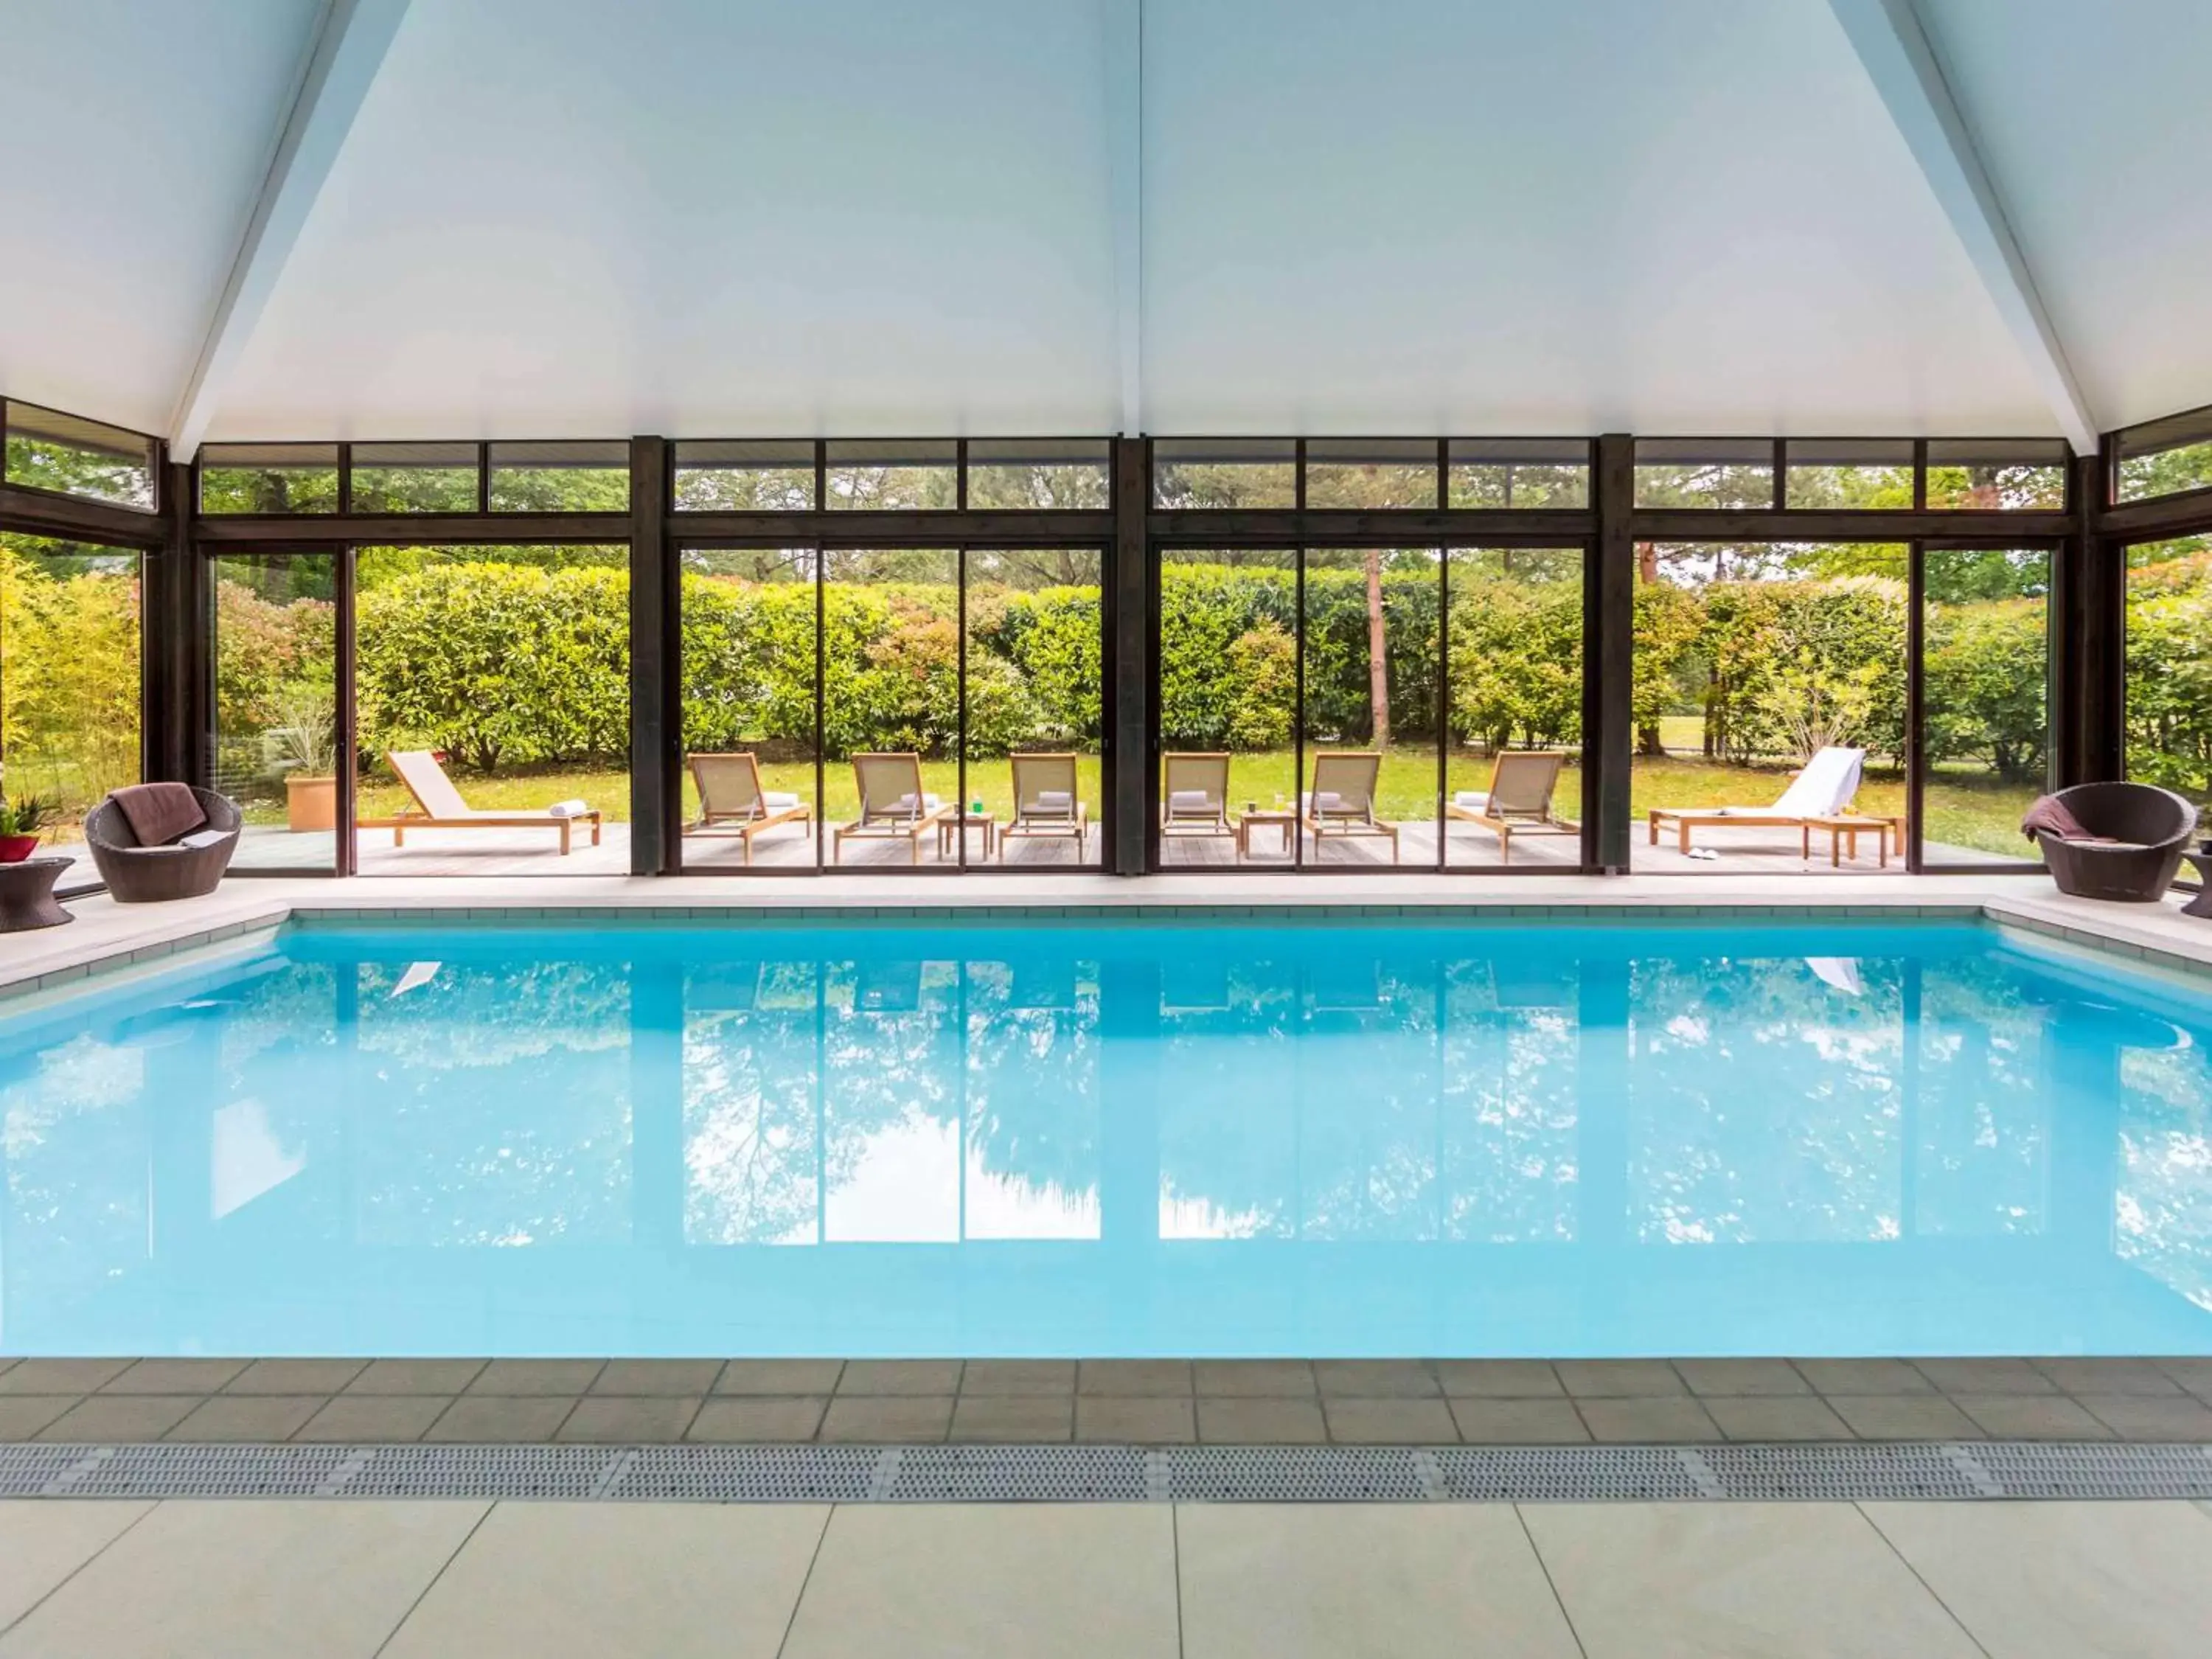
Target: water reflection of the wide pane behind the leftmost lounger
{"type": "Point", "coordinates": [497, 1105]}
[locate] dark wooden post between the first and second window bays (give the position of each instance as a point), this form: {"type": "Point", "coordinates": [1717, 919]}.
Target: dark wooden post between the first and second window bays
{"type": "Point", "coordinates": [656, 702]}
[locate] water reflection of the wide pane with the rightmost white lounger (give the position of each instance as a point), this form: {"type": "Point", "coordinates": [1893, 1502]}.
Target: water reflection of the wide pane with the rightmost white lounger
{"type": "Point", "coordinates": [1764, 1103]}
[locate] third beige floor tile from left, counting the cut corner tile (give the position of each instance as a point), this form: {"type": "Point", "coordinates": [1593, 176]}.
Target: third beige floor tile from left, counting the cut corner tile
{"type": "Point", "coordinates": [596, 1580]}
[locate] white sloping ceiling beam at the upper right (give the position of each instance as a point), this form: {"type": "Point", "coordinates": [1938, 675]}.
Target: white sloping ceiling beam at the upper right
{"type": "Point", "coordinates": [1899, 52]}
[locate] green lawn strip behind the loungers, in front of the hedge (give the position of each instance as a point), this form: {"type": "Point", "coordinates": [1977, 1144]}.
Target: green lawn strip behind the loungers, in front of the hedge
{"type": "Point", "coordinates": [1963, 808]}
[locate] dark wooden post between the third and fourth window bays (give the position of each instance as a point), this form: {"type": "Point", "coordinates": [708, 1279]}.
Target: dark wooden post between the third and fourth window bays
{"type": "Point", "coordinates": [1609, 612]}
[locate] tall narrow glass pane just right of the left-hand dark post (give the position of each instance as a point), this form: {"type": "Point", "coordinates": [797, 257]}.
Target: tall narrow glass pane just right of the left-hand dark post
{"type": "Point", "coordinates": [749, 709]}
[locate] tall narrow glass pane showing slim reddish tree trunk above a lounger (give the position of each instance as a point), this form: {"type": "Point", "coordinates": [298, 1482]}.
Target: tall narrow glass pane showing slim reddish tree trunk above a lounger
{"type": "Point", "coordinates": [1370, 707]}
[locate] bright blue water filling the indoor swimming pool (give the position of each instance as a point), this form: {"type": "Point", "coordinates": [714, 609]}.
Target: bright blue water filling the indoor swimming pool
{"type": "Point", "coordinates": [1193, 1138]}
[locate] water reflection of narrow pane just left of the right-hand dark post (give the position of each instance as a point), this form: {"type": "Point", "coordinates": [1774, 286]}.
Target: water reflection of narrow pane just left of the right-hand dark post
{"type": "Point", "coordinates": [1512, 1114]}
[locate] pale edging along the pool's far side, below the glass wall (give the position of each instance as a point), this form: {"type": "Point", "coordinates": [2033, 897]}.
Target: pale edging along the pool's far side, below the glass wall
{"type": "Point", "coordinates": [136, 937]}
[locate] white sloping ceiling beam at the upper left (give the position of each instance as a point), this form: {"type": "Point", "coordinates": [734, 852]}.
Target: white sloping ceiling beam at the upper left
{"type": "Point", "coordinates": [348, 52]}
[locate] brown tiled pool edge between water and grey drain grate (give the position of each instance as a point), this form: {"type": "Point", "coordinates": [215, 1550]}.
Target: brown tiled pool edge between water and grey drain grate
{"type": "Point", "coordinates": [999, 1401]}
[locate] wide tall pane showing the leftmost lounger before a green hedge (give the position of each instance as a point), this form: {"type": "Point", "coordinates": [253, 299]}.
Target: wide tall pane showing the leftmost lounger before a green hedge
{"type": "Point", "coordinates": [492, 682]}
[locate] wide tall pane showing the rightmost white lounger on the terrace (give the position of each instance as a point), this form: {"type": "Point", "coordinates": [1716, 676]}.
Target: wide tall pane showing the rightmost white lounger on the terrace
{"type": "Point", "coordinates": [1768, 705]}
